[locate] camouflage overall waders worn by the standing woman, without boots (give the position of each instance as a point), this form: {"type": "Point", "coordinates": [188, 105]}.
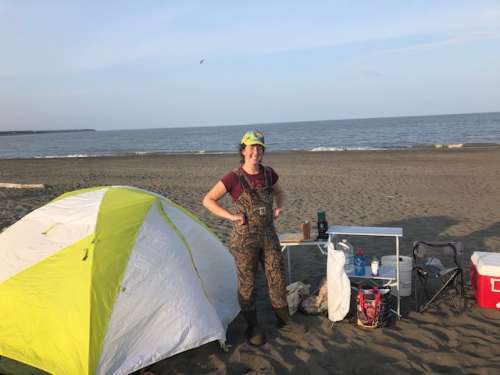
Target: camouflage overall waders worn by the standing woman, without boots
{"type": "Point", "coordinates": [256, 241]}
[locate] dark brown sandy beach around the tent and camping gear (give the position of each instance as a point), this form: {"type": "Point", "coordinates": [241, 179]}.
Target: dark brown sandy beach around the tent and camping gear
{"type": "Point", "coordinates": [432, 194]}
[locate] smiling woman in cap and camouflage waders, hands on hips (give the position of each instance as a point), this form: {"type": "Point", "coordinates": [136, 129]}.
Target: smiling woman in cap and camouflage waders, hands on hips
{"type": "Point", "coordinates": [258, 200]}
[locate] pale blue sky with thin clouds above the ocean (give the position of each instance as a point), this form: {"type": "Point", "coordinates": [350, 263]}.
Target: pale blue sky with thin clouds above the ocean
{"type": "Point", "coordinates": [155, 64]}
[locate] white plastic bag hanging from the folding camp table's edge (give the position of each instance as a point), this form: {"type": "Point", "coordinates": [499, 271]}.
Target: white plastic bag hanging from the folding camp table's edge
{"type": "Point", "coordinates": [338, 285]}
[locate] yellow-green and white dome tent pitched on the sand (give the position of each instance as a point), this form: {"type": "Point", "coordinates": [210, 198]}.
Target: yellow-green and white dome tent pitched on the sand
{"type": "Point", "coordinates": [109, 280]}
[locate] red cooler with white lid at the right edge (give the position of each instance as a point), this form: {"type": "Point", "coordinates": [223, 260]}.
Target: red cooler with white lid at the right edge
{"type": "Point", "coordinates": [485, 279]}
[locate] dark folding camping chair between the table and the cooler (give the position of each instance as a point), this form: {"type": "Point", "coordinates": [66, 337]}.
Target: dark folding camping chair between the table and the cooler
{"type": "Point", "coordinates": [437, 273]}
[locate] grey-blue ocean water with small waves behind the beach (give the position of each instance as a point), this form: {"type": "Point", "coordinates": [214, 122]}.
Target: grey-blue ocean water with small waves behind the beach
{"type": "Point", "coordinates": [480, 129]}
